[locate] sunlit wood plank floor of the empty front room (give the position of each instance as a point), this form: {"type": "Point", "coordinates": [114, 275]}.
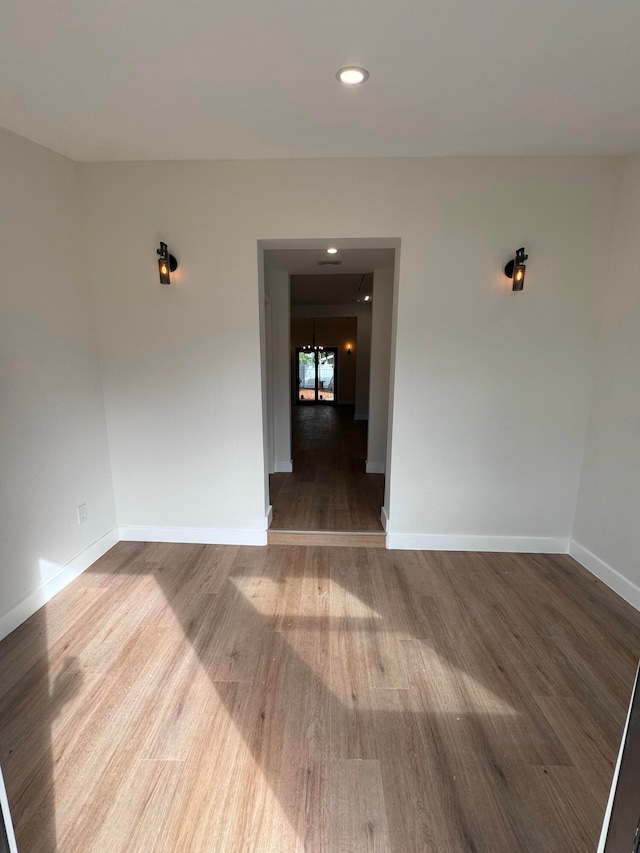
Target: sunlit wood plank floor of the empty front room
{"type": "Point", "coordinates": [216, 698]}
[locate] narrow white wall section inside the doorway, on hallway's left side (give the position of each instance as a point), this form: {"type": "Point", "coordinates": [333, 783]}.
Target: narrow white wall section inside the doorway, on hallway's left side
{"type": "Point", "coordinates": [277, 284]}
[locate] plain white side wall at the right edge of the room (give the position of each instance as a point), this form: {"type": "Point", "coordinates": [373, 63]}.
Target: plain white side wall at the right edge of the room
{"type": "Point", "coordinates": [607, 520]}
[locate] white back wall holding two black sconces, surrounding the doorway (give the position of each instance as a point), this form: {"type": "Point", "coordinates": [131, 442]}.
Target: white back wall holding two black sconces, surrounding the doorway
{"type": "Point", "coordinates": [492, 388]}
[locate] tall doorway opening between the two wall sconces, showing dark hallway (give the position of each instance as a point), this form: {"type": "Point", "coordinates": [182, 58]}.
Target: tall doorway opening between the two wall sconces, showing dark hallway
{"type": "Point", "coordinates": [329, 341]}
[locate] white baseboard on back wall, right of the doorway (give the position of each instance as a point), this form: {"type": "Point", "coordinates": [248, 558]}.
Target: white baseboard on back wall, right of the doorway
{"type": "Point", "coordinates": [515, 544]}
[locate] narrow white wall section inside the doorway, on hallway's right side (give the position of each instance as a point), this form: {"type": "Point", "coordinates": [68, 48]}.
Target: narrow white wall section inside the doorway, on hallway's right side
{"type": "Point", "coordinates": [382, 312]}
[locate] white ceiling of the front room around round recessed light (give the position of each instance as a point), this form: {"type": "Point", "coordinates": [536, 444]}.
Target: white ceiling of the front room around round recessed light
{"type": "Point", "coordinates": [160, 79]}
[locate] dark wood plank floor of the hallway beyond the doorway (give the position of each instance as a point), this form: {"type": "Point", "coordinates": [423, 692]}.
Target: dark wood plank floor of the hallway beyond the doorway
{"type": "Point", "coordinates": [328, 489]}
